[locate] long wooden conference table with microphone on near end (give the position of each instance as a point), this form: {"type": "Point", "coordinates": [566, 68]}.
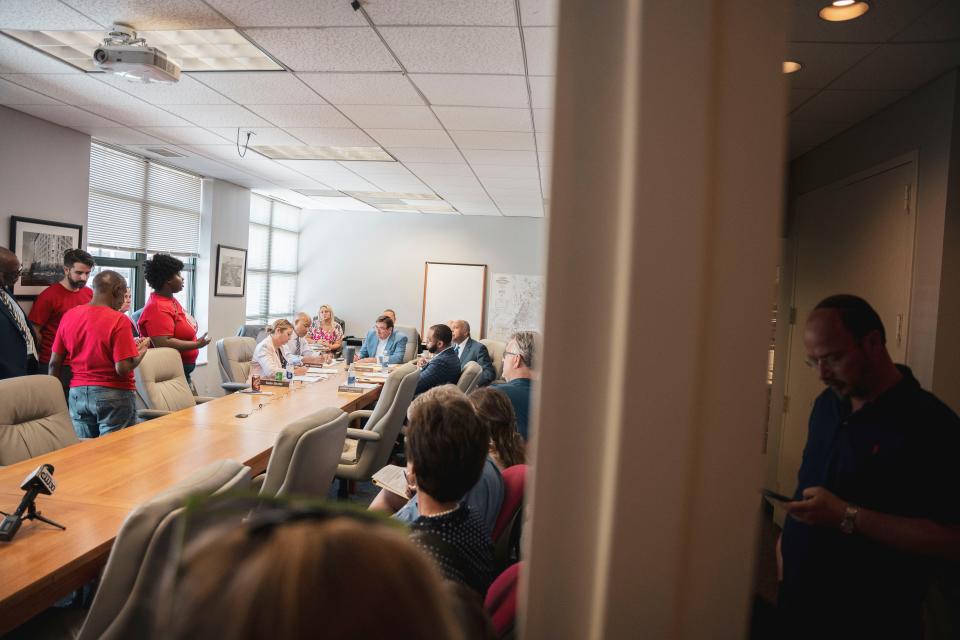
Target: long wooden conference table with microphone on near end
{"type": "Point", "coordinates": [100, 481]}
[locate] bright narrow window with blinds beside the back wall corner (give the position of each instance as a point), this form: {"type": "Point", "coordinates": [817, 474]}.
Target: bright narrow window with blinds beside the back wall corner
{"type": "Point", "coordinates": [272, 261]}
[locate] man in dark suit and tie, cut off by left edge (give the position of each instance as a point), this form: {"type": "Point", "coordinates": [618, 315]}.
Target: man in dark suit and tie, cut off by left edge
{"type": "Point", "coordinates": [18, 344]}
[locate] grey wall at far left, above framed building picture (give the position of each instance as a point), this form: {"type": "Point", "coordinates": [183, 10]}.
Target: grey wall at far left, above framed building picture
{"type": "Point", "coordinates": [44, 172]}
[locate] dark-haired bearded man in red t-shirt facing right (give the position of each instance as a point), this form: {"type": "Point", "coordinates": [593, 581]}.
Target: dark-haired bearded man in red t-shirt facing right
{"type": "Point", "coordinates": [57, 299]}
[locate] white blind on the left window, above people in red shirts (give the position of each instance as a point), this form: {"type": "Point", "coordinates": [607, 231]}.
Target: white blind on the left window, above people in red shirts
{"type": "Point", "coordinates": [140, 206]}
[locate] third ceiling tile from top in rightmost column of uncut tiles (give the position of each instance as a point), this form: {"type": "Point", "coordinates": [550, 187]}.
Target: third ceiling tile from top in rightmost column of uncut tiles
{"type": "Point", "coordinates": [475, 91]}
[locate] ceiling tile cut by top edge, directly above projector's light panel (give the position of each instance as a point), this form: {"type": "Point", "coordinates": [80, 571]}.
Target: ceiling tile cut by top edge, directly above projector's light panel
{"type": "Point", "coordinates": [147, 15]}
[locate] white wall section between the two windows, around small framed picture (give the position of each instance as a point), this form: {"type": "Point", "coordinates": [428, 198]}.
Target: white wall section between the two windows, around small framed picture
{"type": "Point", "coordinates": [225, 220]}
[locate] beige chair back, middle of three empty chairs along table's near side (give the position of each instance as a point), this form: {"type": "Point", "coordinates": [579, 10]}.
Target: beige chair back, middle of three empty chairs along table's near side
{"type": "Point", "coordinates": [305, 455]}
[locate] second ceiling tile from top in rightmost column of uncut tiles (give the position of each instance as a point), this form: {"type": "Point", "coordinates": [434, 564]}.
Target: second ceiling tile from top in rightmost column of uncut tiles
{"type": "Point", "coordinates": [457, 49]}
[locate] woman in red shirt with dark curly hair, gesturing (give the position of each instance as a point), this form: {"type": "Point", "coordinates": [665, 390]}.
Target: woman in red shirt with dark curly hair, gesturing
{"type": "Point", "coordinates": [163, 319]}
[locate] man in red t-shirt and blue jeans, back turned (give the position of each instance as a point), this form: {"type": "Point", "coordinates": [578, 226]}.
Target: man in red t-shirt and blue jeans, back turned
{"type": "Point", "coordinates": [98, 340]}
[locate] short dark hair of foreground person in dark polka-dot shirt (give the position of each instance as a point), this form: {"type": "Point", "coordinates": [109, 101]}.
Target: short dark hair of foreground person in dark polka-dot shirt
{"type": "Point", "coordinates": [446, 442]}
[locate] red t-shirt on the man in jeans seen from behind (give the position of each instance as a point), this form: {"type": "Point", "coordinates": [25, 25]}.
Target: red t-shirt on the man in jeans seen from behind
{"type": "Point", "coordinates": [96, 338]}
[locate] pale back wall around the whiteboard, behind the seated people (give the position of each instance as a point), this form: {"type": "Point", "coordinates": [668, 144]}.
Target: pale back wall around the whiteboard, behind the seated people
{"type": "Point", "coordinates": [362, 263]}
